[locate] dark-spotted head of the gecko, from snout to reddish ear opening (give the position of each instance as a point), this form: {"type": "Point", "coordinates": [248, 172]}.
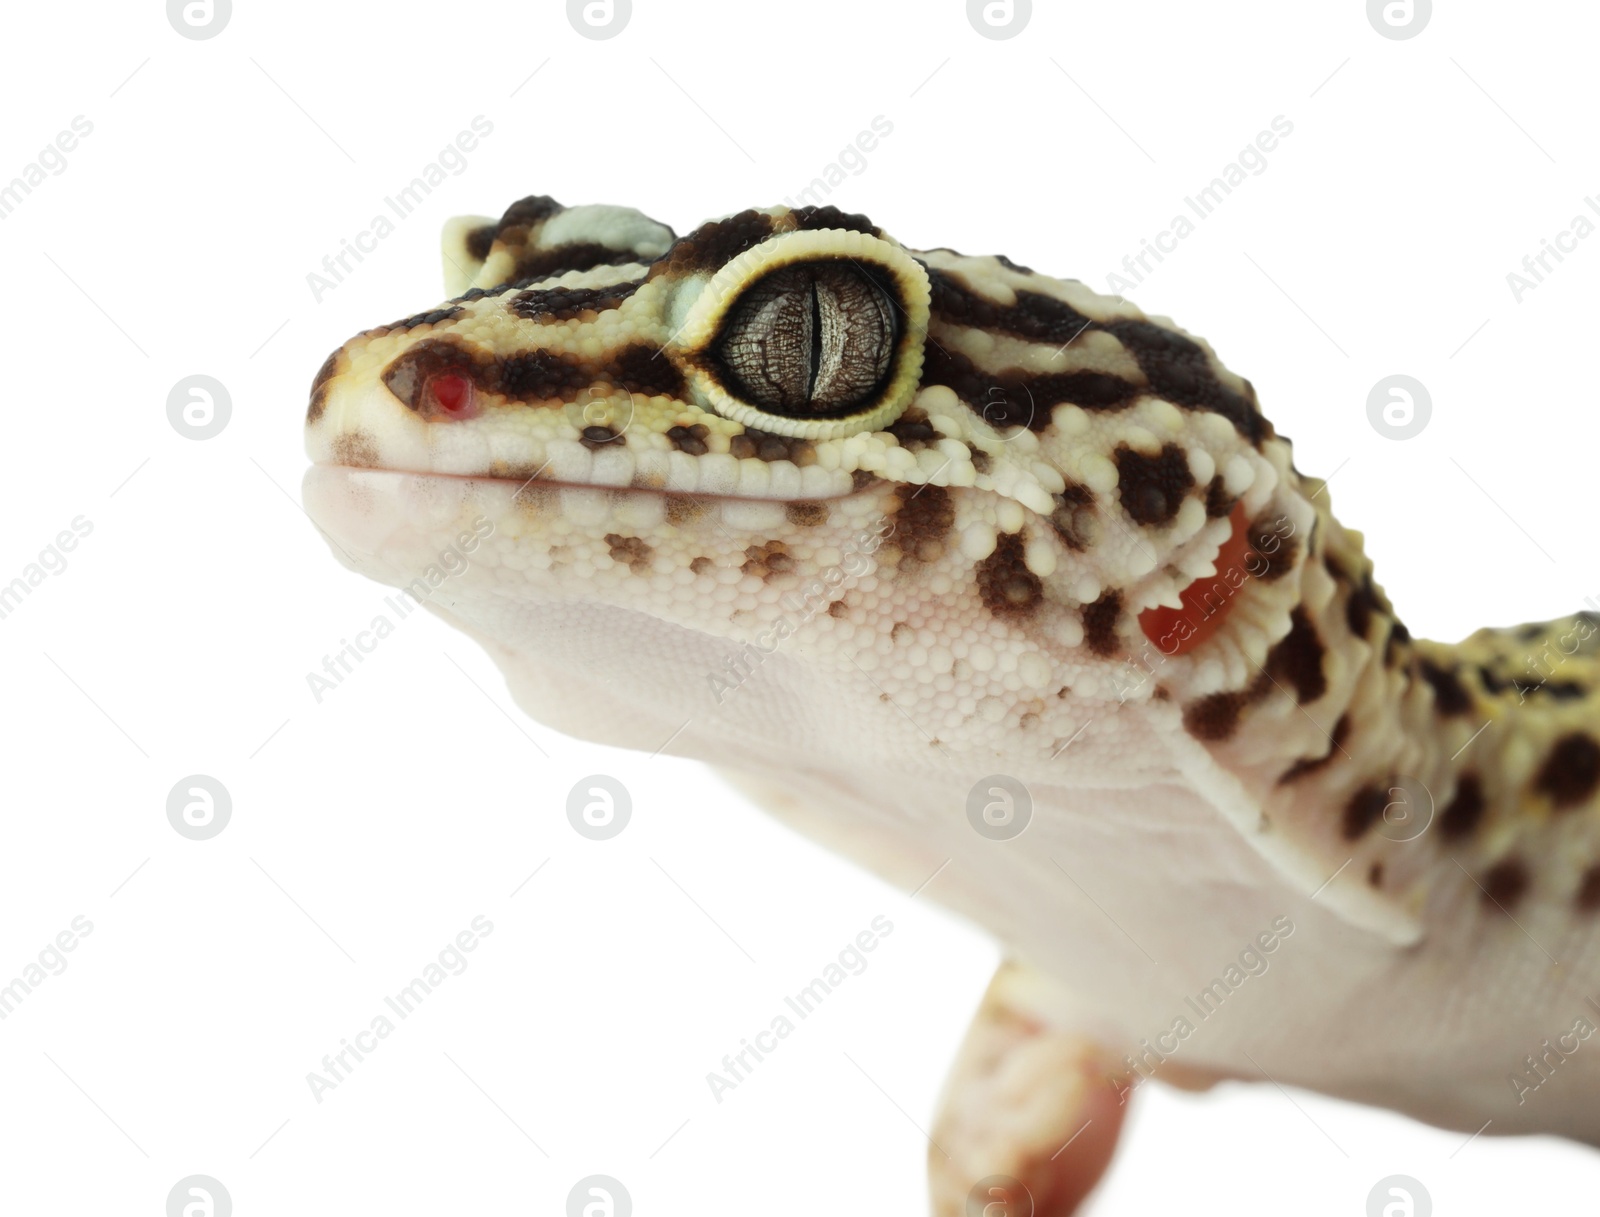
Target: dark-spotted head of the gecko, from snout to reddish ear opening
{"type": "Point", "coordinates": [788, 433]}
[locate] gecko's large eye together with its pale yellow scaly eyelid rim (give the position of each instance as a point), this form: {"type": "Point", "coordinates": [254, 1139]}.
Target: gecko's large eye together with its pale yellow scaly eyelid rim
{"type": "Point", "coordinates": [814, 335]}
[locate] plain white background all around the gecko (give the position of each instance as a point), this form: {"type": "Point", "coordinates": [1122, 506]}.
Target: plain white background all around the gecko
{"type": "Point", "coordinates": [370, 829]}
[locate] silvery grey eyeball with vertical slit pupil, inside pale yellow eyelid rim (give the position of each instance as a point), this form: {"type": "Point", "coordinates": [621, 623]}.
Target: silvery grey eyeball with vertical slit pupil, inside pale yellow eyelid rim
{"type": "Point", "coordinates": [810, 341]}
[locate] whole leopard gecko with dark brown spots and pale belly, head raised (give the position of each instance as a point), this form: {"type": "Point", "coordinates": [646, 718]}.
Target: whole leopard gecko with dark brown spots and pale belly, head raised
{"type": "Point", "coordinates": [1010, 594]}
